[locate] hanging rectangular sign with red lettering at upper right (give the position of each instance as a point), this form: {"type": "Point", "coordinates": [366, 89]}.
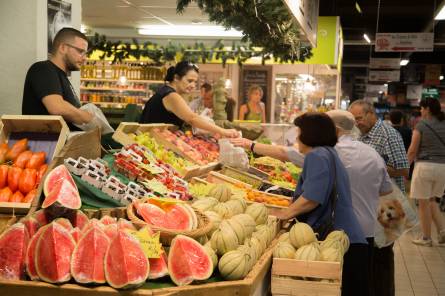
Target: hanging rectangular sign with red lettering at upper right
{"type": "Point", "coordinates": [398, 42]}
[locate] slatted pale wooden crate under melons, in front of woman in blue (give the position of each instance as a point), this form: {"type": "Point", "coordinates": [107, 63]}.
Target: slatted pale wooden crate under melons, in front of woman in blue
{"type": "Point", "coordinates": [305, 278]}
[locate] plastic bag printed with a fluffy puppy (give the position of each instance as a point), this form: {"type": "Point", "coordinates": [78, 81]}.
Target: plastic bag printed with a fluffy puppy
{"type": "Point", "coordinates": [395, 216]}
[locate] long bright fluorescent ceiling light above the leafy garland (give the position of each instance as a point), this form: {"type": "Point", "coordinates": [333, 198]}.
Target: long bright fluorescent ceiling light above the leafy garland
{"type": "Point", "coordinates": [189, 30]}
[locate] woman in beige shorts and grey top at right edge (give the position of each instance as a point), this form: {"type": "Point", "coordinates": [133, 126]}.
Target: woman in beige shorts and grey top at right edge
{"type": "Point", "coordinates": [428, 182]}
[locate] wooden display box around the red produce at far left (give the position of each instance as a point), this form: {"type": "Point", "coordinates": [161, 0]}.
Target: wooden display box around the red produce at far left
{"type": "Point", "coordinates": [44, 133]}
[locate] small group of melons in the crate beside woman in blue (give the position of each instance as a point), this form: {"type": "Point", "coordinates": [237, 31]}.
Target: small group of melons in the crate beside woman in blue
{"type": "Point", "coordinates": [301, 243]}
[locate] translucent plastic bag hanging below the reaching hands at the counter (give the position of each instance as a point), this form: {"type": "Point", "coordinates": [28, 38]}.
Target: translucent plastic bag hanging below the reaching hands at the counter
{"type": "Point", "coordinates": [232, 156]}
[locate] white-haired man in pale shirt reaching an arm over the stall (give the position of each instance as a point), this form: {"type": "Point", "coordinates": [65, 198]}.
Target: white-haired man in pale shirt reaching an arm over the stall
{"type": "Point", "coordinates": [367, 172]}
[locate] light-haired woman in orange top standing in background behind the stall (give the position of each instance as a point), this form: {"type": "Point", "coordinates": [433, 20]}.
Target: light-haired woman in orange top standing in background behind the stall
{"type": "Point", "coordinates": [254, 109]}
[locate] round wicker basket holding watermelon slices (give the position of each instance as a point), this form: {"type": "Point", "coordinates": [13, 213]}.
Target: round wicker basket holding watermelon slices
{"type": "Point", "coordinates": [167, 235]}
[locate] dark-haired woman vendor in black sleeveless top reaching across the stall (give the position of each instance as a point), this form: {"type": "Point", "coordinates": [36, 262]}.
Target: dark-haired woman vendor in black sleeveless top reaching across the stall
{"type": "Point", "coordinates": [168, 106]}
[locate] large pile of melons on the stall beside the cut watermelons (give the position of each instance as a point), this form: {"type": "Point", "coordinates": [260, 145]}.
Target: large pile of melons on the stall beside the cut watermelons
{"type": "Point", "coordinates": [240, 233]}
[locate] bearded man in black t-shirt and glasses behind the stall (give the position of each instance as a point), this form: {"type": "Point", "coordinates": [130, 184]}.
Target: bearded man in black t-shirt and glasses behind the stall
{"type": "Point", "coordinates": [47, 89]}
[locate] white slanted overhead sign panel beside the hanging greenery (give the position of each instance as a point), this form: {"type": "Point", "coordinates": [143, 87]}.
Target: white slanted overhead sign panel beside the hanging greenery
{"type": "Point", "coordinates": [306, 14]}
